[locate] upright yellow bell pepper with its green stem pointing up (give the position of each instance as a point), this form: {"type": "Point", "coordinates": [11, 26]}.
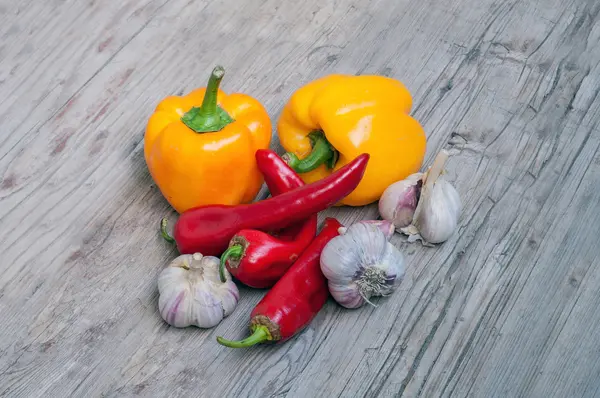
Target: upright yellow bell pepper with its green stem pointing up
{"type": "Point", "coordinates": [200, 148]}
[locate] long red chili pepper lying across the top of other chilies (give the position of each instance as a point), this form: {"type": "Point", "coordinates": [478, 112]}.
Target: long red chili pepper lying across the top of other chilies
{"type": "Point", "coordinates": [208, 229]}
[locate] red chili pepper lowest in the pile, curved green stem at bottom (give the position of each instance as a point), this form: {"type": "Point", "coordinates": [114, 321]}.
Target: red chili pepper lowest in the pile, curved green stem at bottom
{"type": "Point", "coordinates": [295, 299]}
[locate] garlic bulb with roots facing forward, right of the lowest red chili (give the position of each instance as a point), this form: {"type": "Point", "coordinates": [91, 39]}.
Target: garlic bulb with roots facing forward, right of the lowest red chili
{"type": "Point", "coordinates": [361, 263]}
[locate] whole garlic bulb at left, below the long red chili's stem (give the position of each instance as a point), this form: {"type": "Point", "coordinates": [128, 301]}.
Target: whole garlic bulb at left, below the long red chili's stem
{"type": "Point", "coordinates": [191, 292]}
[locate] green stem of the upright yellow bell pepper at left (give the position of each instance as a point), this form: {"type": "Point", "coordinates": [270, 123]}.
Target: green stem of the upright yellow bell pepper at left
{"type": "Point", "coordinates": [209, 117]}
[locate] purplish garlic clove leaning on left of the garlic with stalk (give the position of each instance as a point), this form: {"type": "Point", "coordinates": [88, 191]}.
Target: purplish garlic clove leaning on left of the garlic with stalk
{"type": "Point", "coordinates": [399, 201]}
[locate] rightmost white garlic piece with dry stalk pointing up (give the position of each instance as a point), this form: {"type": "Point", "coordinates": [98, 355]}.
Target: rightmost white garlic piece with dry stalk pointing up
{"type": "Point", "coordinates": [437, 213]}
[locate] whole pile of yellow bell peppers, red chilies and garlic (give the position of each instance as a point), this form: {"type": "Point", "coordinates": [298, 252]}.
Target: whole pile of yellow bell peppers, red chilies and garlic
{"type": "Point", "coordinates": [349, 140]}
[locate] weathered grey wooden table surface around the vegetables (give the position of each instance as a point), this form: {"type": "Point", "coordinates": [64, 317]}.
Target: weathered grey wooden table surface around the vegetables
{"type": "Point", "coordinates": [508, 307]}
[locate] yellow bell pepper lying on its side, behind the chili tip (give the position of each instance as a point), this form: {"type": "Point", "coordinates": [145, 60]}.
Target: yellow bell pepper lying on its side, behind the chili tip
{"type": "Point", "coordinates": [332, 120]}
